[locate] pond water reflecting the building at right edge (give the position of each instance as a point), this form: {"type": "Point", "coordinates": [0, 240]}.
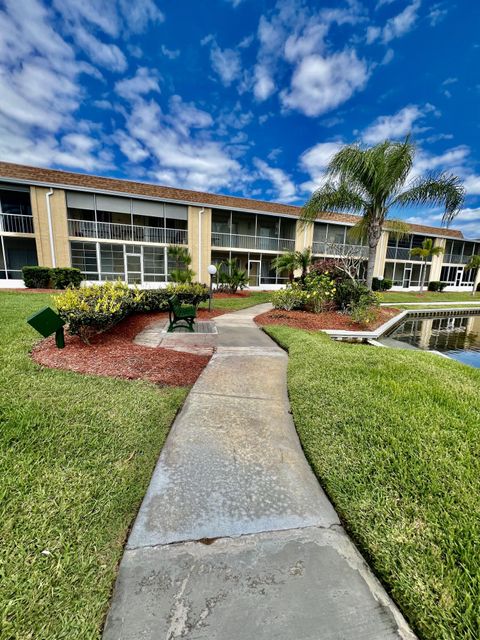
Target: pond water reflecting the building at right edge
{"type": "Point", "coordinates": [456, 336]}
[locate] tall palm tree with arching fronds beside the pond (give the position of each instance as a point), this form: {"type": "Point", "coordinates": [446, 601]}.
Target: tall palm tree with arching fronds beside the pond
{"type": "Point", "coordinates": [372, 181]}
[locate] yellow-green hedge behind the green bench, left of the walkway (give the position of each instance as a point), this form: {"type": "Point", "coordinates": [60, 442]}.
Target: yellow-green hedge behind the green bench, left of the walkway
{"type": "Point", "coordinates": [99, 307]}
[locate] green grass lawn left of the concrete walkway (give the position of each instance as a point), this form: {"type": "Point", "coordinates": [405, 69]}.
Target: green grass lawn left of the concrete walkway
{"type": "Point", "coordinates": [76, 456]}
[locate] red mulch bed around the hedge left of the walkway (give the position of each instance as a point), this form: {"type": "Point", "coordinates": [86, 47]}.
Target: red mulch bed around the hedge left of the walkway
{"type": "Point", "coordinates": [113, 354]}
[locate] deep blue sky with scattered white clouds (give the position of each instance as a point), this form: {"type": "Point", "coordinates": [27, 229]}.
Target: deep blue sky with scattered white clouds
{"type": "Point", "coordinates": [245, 97]}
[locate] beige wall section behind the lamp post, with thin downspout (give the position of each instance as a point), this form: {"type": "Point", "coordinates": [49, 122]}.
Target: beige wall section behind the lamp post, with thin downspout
{"type": "Point", "coordinates": [200, 235]}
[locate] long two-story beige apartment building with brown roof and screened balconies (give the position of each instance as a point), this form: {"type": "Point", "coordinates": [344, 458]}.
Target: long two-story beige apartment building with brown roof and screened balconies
{"type": "Point", "coordinates": [112, 229]}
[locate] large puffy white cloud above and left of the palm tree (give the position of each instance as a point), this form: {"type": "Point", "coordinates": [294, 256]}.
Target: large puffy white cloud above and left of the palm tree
{"type": "Point", "coordinates": [320, 84]}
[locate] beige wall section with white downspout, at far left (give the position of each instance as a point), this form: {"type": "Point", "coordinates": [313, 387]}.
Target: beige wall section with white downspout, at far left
{"type": "Point", "coordinates": [58, 209]}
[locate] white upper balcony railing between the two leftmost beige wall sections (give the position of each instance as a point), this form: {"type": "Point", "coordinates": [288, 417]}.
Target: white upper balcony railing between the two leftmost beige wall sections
{"type": "Point", "coordinates": [126, 232]}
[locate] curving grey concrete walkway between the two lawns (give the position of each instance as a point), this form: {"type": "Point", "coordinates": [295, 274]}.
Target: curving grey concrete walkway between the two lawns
{"type": "Point", "coordinates": [235, 539]}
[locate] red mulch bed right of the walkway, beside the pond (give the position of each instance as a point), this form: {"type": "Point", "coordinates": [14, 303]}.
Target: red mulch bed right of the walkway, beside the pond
{"type": "Point", "coordinates": [318, 321]}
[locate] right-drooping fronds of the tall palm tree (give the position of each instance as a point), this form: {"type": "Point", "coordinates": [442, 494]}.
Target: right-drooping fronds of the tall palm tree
{"type": "Point", "coordinates": [434, 190]}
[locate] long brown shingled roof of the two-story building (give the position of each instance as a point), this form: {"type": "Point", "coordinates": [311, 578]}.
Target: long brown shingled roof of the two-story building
{"type": "Point", "coordinates": [71, 180]}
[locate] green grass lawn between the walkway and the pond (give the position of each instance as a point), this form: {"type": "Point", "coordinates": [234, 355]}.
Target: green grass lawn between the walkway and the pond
{"type": "Point", "coordinates": [394, 438]}
